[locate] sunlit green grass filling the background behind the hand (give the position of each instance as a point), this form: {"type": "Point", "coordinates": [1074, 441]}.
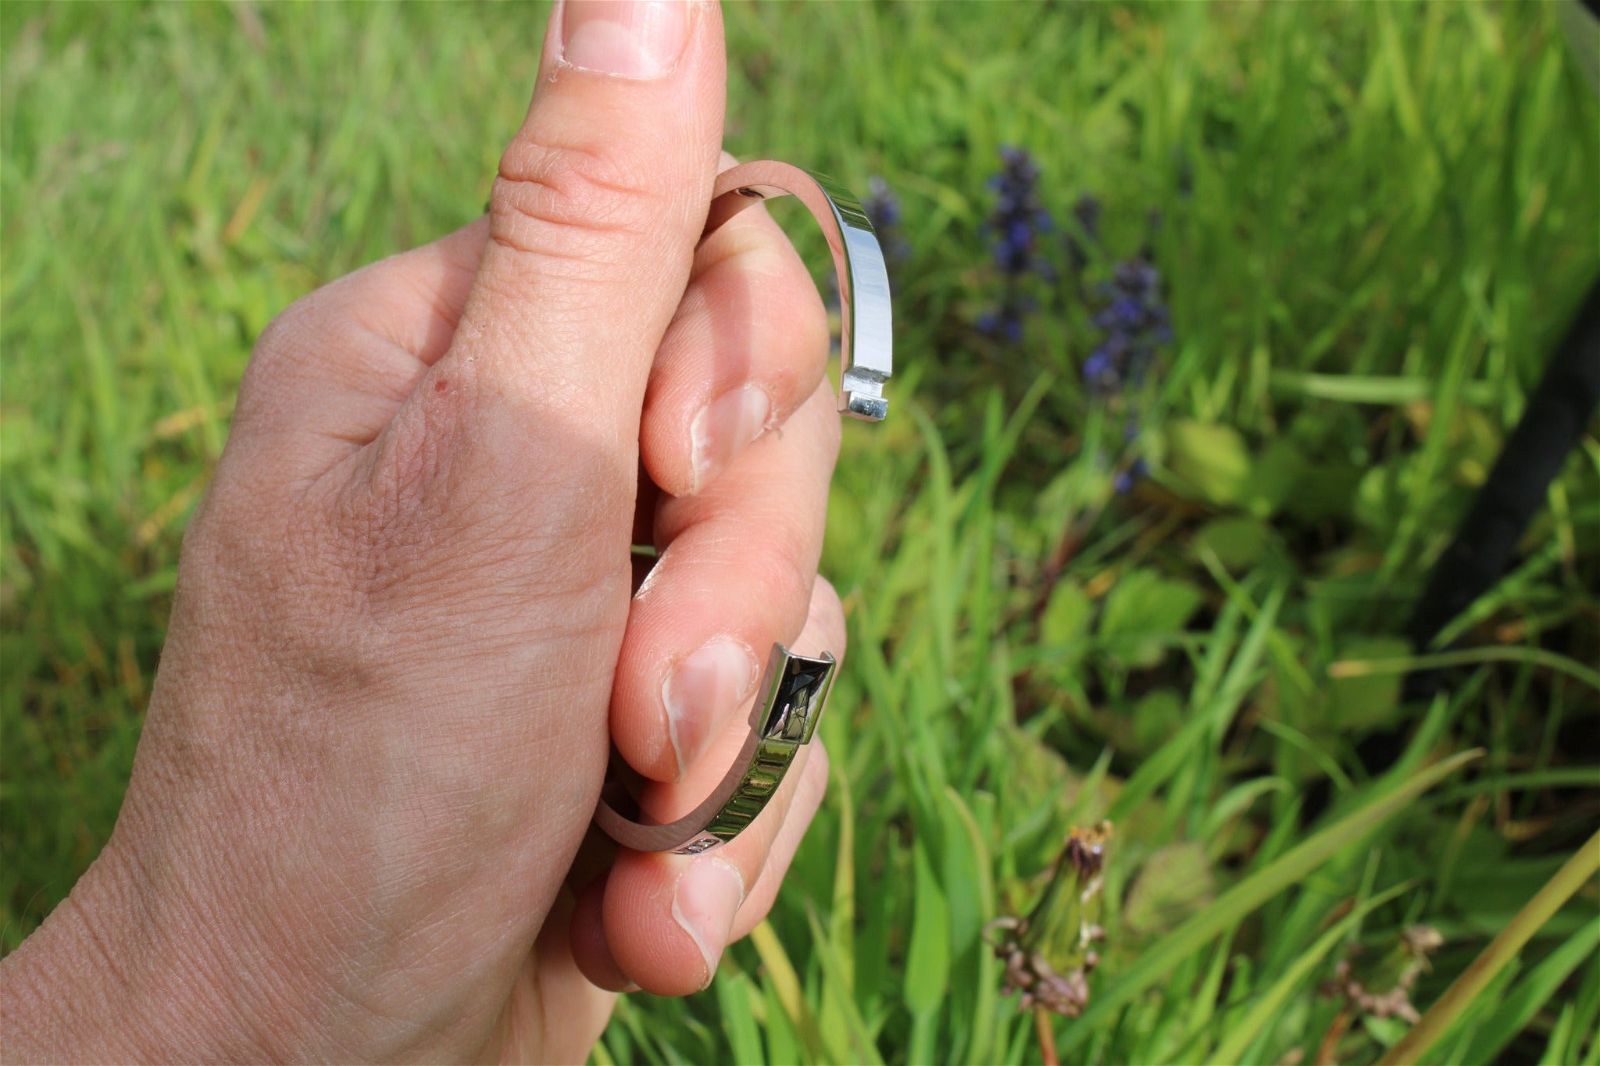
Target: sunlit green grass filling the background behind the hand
{"type": "Point", "coordinates": [1375, 223]}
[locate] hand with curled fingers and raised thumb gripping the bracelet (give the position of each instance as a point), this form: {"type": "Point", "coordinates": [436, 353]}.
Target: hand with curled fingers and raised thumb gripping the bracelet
{"type": "Point", "coordinates": [406, 628]}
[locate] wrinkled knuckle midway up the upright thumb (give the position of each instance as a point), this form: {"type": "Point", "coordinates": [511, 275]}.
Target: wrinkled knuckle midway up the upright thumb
{"type": "Point", "coordinates": [548, 198]}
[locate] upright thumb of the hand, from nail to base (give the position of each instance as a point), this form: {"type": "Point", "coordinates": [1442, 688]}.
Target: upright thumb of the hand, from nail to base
{"type": "Point", "coordinates": [594, 218]}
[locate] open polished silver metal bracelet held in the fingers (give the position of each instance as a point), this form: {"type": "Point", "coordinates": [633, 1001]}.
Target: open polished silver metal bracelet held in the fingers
{"type": "Point", "coordinates": [794, 687]}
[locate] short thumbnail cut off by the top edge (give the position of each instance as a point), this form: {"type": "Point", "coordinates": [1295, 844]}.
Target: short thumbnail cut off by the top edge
{"type": "Point", "coordinates": [633, 39]}
